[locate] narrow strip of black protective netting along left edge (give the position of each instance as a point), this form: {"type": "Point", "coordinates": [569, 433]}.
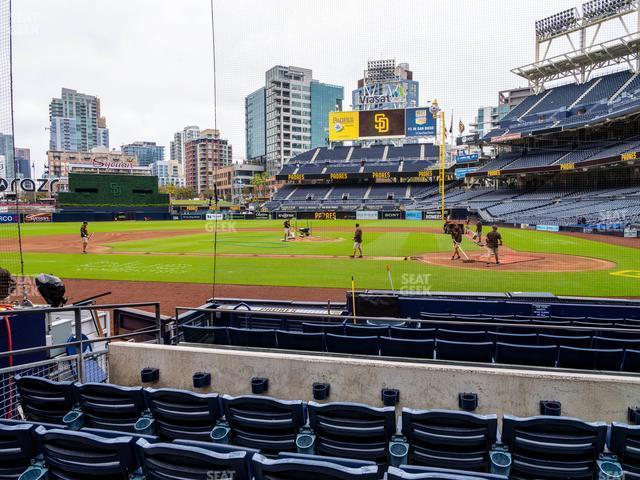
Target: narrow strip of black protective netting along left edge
{"type": "Point", "coordinates": [9, 246]}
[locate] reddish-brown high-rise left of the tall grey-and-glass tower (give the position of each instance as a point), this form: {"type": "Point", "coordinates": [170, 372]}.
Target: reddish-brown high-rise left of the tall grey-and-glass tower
{"type": "Point", "coordinates": [202, 156]}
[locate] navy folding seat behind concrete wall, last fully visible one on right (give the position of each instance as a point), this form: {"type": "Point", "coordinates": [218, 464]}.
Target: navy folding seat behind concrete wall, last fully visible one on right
{"type": "Point", "coordinates": [553, 447]}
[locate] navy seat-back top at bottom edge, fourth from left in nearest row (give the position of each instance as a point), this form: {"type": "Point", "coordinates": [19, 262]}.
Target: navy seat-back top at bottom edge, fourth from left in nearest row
{"type": "Point", "coordinates": [303, 467]}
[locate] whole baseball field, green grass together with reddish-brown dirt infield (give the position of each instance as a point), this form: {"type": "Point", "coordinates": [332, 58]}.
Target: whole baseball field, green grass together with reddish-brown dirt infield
{"type": "Point", "coordinates": [252, 252]}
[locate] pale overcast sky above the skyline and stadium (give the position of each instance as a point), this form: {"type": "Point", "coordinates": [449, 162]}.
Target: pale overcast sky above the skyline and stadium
{"type": "Point", "coordinates": [150, 60]}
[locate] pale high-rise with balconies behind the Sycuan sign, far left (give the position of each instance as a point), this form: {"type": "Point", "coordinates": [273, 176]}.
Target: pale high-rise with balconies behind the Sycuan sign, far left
{"type": "Point", "coordinates": [75, 123]}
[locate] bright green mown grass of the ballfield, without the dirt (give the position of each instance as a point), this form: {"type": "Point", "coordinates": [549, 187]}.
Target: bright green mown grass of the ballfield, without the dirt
{"type": "Point", "coordinates": [241, 237]}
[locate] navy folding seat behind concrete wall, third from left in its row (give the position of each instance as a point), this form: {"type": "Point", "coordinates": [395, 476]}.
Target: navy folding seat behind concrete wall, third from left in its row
{"type": "Point", "coordinates": [183, 414]}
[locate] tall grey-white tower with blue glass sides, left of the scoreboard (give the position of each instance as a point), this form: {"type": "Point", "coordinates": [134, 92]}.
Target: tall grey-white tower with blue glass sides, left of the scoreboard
{"type": "Point", "coordinates": [288, 115]}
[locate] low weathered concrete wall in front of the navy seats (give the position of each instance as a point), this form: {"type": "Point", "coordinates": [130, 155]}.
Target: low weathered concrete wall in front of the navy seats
{"type": "Point", "coordinates": [422, 385]}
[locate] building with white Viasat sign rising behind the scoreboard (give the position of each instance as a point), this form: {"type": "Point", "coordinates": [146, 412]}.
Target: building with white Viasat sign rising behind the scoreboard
{"type": "Point", "coordinates": [386, 85]}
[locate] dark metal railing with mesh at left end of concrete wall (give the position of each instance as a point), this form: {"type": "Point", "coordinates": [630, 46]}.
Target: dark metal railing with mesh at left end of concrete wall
{"type": "Point", "coordinates": [79, 362]}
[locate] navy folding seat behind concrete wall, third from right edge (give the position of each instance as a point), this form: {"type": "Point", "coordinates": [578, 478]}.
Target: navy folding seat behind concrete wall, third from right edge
{"type": "Point", "coordinates": [449, 439]}
